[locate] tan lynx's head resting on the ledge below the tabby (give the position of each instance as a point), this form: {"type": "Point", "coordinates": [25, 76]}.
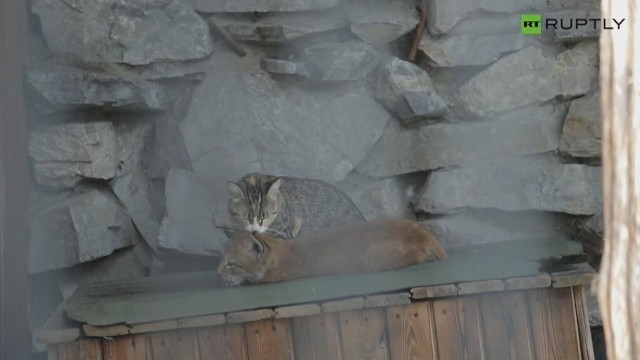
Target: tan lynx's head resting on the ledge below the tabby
{"type": "Point", "coordinates": [243, 260]}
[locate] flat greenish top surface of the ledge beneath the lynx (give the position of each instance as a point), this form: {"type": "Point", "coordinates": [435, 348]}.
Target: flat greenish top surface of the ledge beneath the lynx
{"type": "Point", "coordinates": [137, 301]}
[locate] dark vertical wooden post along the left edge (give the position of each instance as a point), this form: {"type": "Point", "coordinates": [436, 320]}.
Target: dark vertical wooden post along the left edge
{"type": "Point", "coordinates": [14, 182]}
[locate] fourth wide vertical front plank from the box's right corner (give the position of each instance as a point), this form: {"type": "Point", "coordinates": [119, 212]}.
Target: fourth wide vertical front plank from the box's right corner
{"type": "Point", "coordinates": [411, 335]}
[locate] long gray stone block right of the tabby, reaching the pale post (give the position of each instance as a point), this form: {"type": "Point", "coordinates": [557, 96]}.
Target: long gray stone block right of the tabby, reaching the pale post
{"type": "Point", "coordinates": [515, 185]}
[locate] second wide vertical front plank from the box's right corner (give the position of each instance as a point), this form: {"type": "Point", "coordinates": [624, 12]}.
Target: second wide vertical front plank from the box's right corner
{"type": "Point", "coordinates": [506, 327]}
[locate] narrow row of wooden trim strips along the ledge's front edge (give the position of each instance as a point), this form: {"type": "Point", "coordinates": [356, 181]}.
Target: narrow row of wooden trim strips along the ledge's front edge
{"type": "Point", "coordinates": [576, 275]}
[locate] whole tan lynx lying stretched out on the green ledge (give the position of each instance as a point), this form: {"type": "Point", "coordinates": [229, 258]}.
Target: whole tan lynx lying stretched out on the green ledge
{"type": "Point", "coordinates": [378, 245]}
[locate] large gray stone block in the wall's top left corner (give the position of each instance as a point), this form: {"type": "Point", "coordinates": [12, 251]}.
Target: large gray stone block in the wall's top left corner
{"type": "Point", "coordinates": [135, 32]}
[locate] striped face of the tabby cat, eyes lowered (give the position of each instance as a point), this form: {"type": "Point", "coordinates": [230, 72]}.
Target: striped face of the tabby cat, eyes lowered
{"type": "Point", "coordinates": [252, 206]}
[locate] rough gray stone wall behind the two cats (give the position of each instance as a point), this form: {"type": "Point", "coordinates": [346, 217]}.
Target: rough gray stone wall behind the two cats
{"type": "Point", "coordinates": [139, 114]}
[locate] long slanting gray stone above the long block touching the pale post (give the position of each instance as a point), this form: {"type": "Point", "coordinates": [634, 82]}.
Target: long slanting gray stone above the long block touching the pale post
{"type": "Point", "coordinates": [403, 150]}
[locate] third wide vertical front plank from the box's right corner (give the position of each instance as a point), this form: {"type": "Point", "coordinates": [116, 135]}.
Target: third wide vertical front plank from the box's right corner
{"type": "Point", "coordinates": [458, 328]}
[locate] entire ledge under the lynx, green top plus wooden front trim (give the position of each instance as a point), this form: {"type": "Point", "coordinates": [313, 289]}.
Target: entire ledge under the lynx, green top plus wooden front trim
{"type": "Point", "coordinates": [190, 300]}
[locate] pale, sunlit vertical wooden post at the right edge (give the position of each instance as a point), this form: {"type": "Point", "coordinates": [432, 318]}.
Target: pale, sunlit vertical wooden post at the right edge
{"type": "Point", "coordinates": [619, 280]}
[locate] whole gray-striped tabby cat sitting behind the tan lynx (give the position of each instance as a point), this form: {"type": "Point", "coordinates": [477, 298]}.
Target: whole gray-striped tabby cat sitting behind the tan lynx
{"type": "Point", "coordinates": [288, 207]}
